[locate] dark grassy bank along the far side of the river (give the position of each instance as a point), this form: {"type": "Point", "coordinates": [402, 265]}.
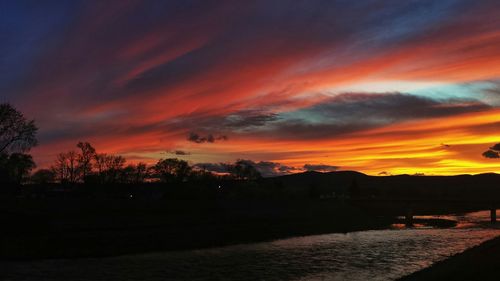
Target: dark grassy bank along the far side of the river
{"type": "Point", "coordinates": [46, 228]}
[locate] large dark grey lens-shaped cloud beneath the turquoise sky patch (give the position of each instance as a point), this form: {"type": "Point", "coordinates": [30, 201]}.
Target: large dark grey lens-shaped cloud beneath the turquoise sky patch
{"type": "Point", "coordinates": [353, 112]}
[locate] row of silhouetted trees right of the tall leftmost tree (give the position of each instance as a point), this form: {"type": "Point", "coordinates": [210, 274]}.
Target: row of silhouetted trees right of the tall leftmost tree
{"type": "Point", "coordinates": [86, 165]}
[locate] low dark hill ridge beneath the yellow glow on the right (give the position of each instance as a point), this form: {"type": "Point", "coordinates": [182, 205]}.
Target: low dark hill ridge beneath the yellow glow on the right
{"type": "Point", "coordinates": [316, 184]}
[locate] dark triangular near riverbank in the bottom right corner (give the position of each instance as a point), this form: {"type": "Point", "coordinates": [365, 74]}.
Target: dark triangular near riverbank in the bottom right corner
{"type": "Point", "coordinates": [481, 262]}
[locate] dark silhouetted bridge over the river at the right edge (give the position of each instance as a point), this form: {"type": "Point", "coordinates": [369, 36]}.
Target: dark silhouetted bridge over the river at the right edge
{"type": "Point", "coordinates": [411, 207]}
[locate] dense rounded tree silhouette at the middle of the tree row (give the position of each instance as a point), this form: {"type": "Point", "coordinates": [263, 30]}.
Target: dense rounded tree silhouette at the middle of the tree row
{"type": "Point", "coordinates": [172, 170]}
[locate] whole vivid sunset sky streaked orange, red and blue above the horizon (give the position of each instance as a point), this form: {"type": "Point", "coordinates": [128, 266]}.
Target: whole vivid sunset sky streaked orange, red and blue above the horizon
{"type": "Point", "coordinates": [381, 87]}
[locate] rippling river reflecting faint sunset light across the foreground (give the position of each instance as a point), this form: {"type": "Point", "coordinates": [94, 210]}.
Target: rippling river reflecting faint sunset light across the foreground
{"type": "Point", "coordinates": [364, 255]}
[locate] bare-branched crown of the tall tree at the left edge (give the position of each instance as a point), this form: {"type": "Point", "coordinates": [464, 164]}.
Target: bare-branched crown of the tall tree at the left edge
{"type": "Point", "coordinates": [16, 133]}
